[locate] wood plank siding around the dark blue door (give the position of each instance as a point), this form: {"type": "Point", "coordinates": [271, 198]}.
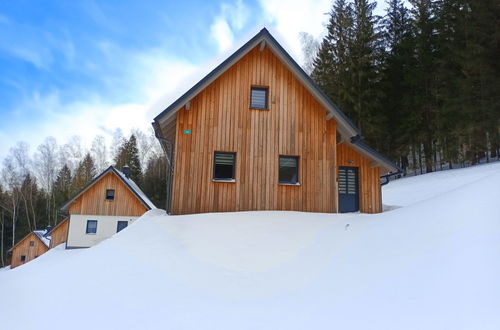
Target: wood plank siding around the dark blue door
{"type": "Point", "coordinates": [370, 199]}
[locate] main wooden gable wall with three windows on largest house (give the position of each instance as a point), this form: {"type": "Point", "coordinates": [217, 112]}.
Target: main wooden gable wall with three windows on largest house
{"type": "Point", "coordinates": [220, 120]}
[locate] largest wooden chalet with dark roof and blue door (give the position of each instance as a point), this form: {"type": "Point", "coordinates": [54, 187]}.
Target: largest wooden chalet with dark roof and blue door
{"type": "Point", "coordinates": [258, 134]}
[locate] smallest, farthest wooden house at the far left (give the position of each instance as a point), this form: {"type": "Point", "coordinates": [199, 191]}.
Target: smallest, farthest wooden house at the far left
{"type": "Point", "coordinates": [30, 247]}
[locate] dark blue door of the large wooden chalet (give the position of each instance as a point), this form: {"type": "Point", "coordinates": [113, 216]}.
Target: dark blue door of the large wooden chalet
{"type": "Point", "coordinates": [348, 189]}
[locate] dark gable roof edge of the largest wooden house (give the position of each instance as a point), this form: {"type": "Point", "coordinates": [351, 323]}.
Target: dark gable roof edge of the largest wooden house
{"type": "Point", "coordinates": [345, 127]}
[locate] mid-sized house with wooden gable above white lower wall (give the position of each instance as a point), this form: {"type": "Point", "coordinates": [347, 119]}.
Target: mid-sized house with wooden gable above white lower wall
{"type": "Point", "coordinates": [106, 205]}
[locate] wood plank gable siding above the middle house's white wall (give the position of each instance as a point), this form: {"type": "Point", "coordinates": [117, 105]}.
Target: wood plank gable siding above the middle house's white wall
{"type": "Point", "coordinates": [93, 201]}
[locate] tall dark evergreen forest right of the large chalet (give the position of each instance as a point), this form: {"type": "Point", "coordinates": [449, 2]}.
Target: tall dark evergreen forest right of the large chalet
{"type": "Point", "coordinates": [422, 82]}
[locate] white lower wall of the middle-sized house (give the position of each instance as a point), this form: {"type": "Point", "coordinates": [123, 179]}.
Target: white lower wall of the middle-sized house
{"type": "Point", "coordinates": [106, 227]}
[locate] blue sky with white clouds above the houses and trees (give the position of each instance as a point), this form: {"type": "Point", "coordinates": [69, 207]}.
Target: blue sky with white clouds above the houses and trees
{"type": "Point", "coordinates": [88, 67]}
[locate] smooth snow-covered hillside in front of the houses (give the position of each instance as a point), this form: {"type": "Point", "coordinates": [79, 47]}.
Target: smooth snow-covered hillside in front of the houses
{"type": "Point", "coordinates": [433, 263]}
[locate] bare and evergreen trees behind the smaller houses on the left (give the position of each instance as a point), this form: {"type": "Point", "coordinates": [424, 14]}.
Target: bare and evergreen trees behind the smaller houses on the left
{"type": "Point", "coordinates": [34, 187]}
